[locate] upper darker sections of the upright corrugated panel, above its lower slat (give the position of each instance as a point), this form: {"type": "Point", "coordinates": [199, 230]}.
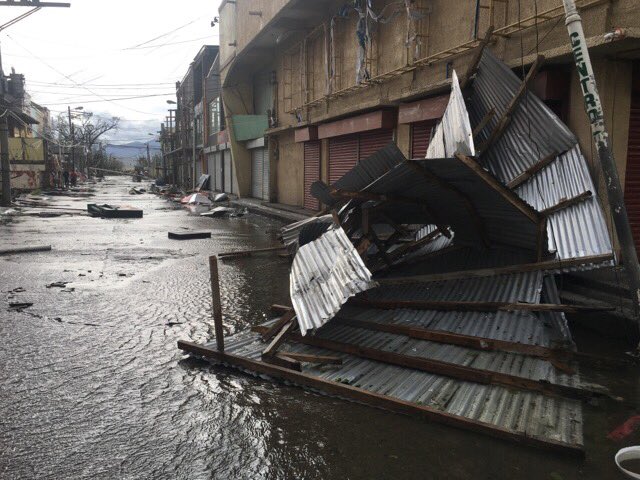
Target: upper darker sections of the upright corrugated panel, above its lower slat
{"type": "Point", "coordinates": [534, 131]}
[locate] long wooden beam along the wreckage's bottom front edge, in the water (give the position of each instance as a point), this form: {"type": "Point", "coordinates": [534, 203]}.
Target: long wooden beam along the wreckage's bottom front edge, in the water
{"type": "Point", "coordinates": [379, 400]}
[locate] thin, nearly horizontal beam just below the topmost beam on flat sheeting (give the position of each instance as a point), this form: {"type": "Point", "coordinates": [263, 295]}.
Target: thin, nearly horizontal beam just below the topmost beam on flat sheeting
{"type": "Point", "coordinates": [459, 306]}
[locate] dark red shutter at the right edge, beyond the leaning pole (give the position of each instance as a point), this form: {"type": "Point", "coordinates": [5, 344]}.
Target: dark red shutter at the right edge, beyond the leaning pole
{"type": "Point", "coordinates": [632, 177]}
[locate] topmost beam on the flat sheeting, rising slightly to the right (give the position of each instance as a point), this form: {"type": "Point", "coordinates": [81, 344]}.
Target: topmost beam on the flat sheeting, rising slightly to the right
{"type": "Point", "coordinates": [490, 272]}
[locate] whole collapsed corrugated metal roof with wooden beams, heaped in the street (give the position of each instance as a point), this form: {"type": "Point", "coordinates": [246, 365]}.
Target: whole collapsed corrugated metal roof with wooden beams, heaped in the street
{"type": "Point", "coordinates": [416, 359]}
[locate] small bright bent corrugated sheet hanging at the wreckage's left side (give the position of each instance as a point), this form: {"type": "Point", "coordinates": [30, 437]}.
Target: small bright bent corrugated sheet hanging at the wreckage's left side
{"type": "Point", "coordinates": [325, 273]}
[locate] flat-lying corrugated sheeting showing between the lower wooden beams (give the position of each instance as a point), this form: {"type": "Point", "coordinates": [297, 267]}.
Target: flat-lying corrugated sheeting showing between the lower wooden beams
{"type": "Point", "coordinates": [549, 418]}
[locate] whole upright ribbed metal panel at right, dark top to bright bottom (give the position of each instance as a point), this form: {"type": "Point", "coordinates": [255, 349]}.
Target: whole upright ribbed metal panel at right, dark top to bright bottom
{"type": "Point", "coordinates": [533, 133]}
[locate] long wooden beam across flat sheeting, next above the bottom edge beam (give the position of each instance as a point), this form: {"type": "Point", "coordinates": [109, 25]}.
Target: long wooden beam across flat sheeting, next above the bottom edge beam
{"type": "Point", "coordinates": [452, 370]}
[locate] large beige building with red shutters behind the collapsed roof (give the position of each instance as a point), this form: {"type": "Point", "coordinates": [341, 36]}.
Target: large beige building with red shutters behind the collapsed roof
{"type": "Point", "coordinates": [323, 84]}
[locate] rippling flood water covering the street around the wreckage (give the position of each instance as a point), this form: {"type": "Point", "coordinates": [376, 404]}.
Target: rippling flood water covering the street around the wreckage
{"type": "Point", "coordinates": [92, 384]}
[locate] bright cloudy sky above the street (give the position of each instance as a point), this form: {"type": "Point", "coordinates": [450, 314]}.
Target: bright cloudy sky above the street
{"type": "Point", "coordinates": [98, 52]}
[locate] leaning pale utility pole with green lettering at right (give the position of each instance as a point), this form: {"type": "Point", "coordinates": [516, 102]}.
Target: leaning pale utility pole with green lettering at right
{"type": "Point", "coordinates": [593, 107]}
